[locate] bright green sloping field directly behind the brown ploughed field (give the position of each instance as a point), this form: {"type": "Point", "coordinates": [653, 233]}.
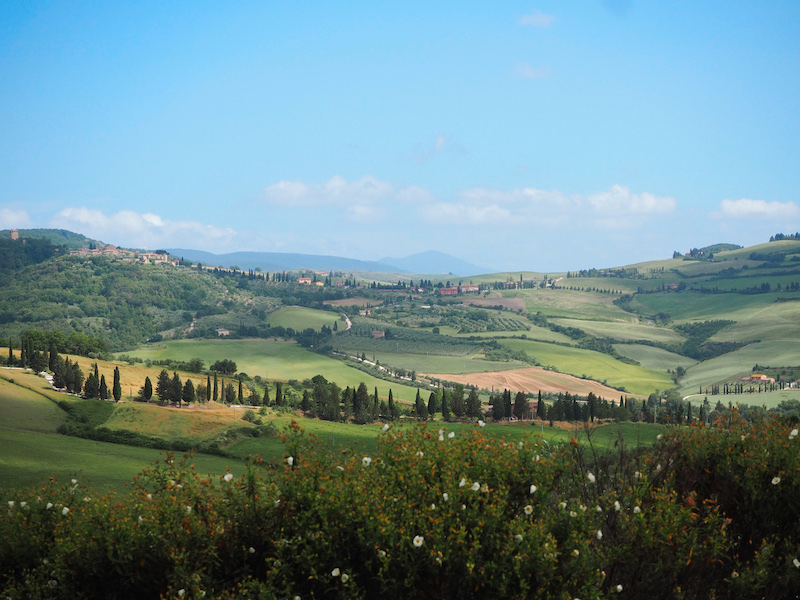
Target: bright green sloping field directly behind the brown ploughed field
{"type": "Point", "coordinates": [601, 367]}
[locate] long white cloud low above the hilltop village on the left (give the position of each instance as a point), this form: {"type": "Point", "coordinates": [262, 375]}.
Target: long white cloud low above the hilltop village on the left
{"type": "Point", "coordinates": [140, 230]}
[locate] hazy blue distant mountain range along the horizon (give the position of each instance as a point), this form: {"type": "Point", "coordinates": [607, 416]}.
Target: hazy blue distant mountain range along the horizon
{"type": "Point", "coordinates": [423, 263]}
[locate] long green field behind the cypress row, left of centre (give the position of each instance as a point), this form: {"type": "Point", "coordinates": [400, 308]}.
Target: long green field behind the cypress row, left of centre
{"type": "Point", "coordinates": [274, 360]}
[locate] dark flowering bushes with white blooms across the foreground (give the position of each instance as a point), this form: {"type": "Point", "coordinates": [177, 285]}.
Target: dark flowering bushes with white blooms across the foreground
{"type": "Point", "coordinates": [428, 515]}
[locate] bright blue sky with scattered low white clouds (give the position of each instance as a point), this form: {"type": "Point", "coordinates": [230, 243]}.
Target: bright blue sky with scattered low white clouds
{"type": "Point", "coordinates": [539, 136]}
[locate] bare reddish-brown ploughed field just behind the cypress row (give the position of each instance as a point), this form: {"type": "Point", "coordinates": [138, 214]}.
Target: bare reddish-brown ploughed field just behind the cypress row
{"type": "Point", "coordinates": [531, 380]}
